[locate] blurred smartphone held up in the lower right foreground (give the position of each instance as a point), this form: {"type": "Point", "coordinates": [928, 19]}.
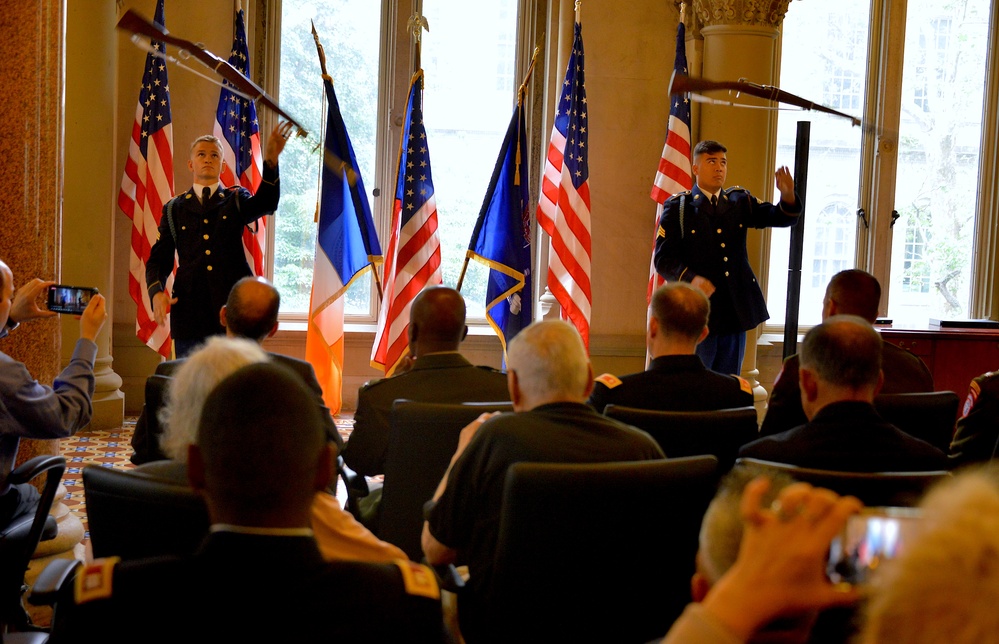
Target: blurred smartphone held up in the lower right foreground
{"type": "Point", "coordinates": [870, 538]}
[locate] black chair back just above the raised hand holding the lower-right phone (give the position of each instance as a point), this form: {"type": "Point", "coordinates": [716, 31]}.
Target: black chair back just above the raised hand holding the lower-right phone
{"type": "Point", "coordinates": [903, 489]}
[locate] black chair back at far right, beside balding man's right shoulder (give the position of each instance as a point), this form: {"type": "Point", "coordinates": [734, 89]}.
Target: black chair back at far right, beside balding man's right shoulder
{"type": "Point", "coordinates": [927, 416]}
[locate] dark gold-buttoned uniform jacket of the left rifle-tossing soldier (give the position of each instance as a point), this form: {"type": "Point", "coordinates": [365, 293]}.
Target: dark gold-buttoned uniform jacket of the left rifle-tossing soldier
{"type": "Point", "coordinates": [208, 242]}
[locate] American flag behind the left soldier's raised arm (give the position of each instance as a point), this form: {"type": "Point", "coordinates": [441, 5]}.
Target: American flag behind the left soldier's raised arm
{"type": "Point", "coordinates": [236, 125]}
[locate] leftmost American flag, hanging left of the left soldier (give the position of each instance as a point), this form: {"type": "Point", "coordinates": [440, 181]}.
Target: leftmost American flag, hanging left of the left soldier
{"type": "Point", "coordinates": [146, 185]}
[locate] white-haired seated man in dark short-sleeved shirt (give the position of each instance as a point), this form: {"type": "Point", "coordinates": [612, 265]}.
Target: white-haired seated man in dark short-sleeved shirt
{"type": "Point", "coordinates": [549, 377]}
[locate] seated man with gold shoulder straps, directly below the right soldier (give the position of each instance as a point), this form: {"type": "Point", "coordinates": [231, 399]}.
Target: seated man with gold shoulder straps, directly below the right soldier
{"type": "Point", "coordinates": [676, 379]}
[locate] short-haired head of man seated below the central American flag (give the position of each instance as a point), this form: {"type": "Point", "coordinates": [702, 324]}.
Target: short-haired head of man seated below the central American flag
{"type": "Point", "coordinates": [437, 321]}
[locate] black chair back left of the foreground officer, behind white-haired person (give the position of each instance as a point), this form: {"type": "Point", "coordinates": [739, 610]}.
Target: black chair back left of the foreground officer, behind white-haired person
{"type": "Point", "coordinates": [133, 516]}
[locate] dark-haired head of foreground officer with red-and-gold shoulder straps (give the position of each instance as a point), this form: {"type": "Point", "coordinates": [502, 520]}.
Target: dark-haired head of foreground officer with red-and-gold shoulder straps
{"type": "Point", "coordinates": [259, 459]}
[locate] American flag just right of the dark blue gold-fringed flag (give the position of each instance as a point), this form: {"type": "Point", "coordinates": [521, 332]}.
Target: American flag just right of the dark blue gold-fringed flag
{"type": "Point", "coordinates": [564, 206]}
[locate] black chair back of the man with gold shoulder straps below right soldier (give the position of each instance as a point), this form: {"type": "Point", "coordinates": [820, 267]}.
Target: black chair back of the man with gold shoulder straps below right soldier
{"type": "Point", "coordinates": [690, 433]}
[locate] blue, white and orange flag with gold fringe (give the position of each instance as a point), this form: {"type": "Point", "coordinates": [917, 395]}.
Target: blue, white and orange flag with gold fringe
{"type": "Point", "coordinates": [346, 246]}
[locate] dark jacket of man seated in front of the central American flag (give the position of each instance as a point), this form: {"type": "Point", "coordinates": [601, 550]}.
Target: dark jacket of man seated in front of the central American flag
{"type": "Point", "coordinates": [437, 377]}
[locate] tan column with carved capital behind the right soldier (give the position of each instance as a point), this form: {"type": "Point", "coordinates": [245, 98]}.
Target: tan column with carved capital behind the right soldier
{"type": "Point", "coordinates": [740, 41]}
